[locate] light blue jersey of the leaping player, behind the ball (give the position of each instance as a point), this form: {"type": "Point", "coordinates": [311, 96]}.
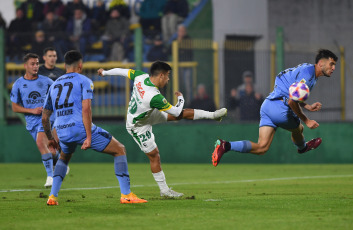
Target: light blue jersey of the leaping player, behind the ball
{"type": "Point", "coordinates": [302, 73]}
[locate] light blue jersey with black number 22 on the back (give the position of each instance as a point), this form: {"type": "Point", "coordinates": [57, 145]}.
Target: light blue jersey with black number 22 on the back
{"type": "Point", "coordinates": [65, 100]}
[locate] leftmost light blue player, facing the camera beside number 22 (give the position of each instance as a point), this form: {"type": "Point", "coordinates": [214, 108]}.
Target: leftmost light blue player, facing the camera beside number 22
{"type": "Point", "coordinates": [27, 95]}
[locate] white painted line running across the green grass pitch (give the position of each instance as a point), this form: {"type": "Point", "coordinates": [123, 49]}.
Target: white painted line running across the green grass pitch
{"type": "Point", "coordinates": [189, 183]}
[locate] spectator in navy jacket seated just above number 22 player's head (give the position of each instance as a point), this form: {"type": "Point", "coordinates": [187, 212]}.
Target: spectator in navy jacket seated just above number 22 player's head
{"type": "Point", "coordinates": [79, 31]}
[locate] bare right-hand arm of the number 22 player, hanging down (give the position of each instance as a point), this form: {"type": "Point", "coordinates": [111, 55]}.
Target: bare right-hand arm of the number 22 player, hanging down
{"type": "Point", "coordinates": [87, 122]}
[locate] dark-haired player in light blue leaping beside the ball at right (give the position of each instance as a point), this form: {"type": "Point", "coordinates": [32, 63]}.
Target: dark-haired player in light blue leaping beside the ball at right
{"type": "Point", "coordinates": [278, 110]}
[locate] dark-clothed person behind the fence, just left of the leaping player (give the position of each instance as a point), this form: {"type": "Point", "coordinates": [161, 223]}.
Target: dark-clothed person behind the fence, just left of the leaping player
{"type": "Point", "coordinates": [250, 103]}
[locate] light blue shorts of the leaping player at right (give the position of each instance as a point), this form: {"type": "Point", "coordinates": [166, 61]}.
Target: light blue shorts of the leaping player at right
{"type": "Point", "coordinates": [276, 113]}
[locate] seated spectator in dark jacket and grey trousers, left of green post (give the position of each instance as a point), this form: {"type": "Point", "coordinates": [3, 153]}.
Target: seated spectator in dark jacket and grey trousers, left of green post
{"type": "Point", "coordinates": [116, 31]}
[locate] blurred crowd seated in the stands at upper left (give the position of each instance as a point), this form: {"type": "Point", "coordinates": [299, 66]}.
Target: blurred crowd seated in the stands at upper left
{"type": "Point", "coordinates": [101, 29]}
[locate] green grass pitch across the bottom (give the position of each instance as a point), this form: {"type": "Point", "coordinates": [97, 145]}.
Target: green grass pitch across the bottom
{"type": "Point", "coordinates": [230, 196]}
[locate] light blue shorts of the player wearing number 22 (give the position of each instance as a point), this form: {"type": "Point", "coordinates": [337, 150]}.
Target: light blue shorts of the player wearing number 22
{"type": "Point", "coordinates": [100, 140]}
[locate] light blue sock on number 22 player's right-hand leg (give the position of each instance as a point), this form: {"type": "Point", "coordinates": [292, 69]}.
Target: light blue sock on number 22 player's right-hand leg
{"type": "Point", "coordinates": [122, 173]}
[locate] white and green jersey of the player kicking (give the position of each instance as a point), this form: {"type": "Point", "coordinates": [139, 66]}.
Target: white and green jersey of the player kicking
{"type": "Point", "coordinates": [144, 99]}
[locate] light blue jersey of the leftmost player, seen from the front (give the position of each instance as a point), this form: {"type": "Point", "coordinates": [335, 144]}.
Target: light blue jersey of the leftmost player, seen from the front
{"type": "Point", "coordinates": [31, 94]}
